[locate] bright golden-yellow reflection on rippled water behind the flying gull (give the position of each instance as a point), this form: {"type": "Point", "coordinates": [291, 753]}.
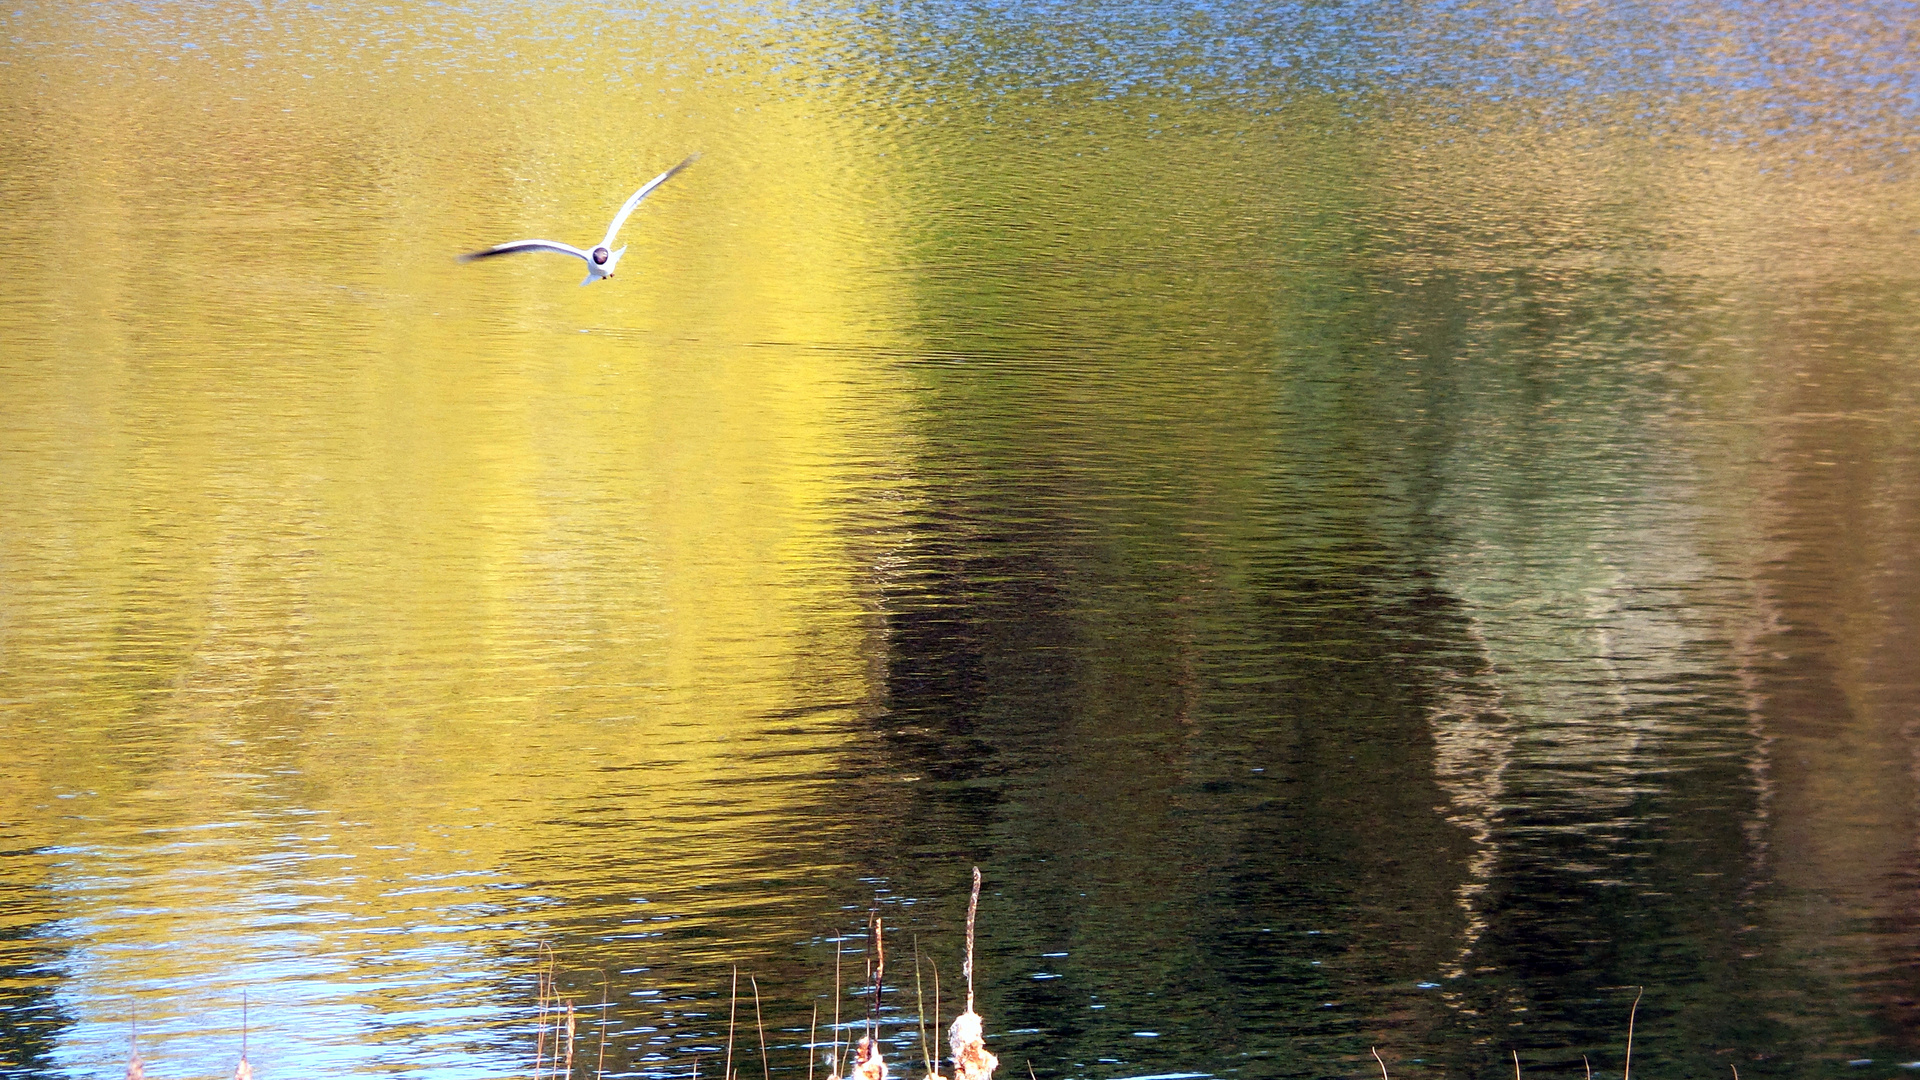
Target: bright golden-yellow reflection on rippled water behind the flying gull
{"type": "Point", "coordinates": [398, 570]}
